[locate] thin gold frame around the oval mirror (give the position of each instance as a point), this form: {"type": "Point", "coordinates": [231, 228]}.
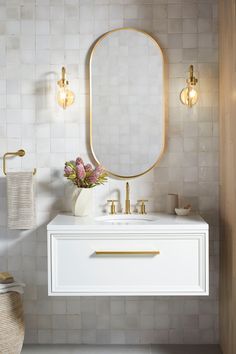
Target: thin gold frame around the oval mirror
{"type": "Point", "coordinates": [97, 42]}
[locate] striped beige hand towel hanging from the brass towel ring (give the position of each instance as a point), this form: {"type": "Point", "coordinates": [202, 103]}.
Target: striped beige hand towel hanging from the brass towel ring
{"type": "Point", "coordinates": [20, 195]}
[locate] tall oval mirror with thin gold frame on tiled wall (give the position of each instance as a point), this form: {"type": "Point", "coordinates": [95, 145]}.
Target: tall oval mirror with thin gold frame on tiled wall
{"type": "Point", "coordinates": [127, 118]}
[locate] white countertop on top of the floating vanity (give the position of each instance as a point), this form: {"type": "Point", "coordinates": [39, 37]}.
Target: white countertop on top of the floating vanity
{"type": "Point", "coordinates": [159, 222]}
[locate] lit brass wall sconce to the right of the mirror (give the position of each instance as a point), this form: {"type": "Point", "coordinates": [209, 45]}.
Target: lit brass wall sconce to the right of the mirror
{"type": "Point", "coordinates": [189, 95]}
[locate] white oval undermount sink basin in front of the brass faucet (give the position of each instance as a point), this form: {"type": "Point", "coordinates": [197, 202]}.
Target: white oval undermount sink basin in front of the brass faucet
{"type": "Point", "coordinates": [126, 219]}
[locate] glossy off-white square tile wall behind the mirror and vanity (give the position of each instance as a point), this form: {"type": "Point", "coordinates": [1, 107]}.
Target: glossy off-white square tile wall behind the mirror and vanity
{"type": "Point", "coordinates": [36, 39]}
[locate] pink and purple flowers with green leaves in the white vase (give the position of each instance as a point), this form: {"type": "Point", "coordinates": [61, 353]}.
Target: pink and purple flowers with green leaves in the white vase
{"type": "Point", "coordinates": [84, 175]}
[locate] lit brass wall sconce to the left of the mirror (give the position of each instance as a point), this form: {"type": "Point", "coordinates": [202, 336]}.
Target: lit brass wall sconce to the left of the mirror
{"type": "Point", "coordinates": [65, 97]}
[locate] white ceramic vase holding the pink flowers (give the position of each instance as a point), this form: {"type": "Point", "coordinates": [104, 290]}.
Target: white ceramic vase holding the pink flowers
{"type": "Point", "coordinates": [82, 201]}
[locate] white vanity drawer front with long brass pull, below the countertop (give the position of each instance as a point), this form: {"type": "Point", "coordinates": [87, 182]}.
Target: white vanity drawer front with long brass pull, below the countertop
{"type": "Point", "coordinates": [84, 264]}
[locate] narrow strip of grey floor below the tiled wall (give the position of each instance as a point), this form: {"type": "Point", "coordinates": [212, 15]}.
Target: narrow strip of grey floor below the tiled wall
{"type": "Point", "coordinates": [119, 349]}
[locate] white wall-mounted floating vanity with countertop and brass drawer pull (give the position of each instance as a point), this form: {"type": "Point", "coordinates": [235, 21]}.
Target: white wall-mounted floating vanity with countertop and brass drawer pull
{"type": "Point", "coordinates": [135, 255]}
